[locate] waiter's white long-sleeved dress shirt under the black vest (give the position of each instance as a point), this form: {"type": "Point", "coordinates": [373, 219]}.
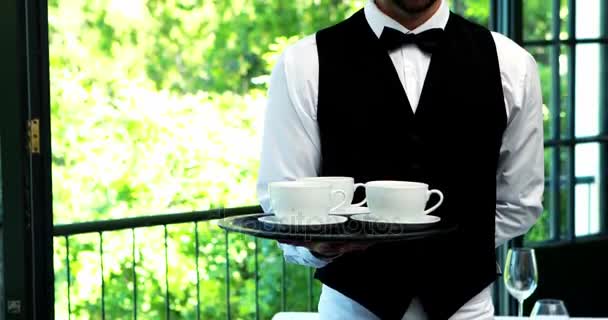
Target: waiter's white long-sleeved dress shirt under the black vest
{"type": "Point", "coordinates": [291, 142]}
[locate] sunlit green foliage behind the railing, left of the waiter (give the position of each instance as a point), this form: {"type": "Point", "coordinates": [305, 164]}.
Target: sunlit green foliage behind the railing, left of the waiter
{"type": "Point", "coordinates": [156, 108]}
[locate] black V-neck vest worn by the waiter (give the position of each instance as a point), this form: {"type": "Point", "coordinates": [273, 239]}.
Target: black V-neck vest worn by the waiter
{"type": "Point", "coordinates": [369, 131]}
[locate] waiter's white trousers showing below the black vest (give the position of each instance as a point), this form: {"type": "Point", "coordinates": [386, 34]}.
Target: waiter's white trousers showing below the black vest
{"type": "Point", "coordinates": [335, 306]}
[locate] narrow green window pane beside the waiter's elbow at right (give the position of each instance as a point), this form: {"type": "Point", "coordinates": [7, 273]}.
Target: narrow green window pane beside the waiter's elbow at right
{"type": "Point", "coordinates": [542, 229]}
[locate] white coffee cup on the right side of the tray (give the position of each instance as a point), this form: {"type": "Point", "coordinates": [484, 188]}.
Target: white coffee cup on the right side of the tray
{"type": "Point", "coordinates": [399, 199]}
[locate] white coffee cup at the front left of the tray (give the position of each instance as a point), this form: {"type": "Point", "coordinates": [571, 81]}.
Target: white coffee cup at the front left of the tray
{"type": "Point", "coordinates": [302, 198]}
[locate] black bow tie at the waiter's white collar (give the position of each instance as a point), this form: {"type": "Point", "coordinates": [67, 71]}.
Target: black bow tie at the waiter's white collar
{"type": "Point", "coordinates": [427, 41]}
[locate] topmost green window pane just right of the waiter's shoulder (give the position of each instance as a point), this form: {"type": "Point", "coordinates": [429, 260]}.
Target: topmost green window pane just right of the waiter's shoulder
{"type": "Point", "coordinates": [537, 15]}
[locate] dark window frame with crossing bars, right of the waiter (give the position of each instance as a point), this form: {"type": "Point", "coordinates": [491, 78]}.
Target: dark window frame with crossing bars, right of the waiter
{"type": "Point", "coordinates": [557, 142]}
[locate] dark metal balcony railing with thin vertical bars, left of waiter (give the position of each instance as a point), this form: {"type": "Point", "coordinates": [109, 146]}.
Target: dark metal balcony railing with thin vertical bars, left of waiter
{"type": "Point", "coordinates": [101, 228]}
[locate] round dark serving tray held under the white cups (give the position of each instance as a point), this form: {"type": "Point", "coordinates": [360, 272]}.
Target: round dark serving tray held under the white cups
{"type": "Point", "coordinates": [351, 230]}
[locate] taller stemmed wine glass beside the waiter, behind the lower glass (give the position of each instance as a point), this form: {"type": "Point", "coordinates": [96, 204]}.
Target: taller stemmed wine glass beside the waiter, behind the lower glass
{"type": "Point", "coordinates": [521, 275]}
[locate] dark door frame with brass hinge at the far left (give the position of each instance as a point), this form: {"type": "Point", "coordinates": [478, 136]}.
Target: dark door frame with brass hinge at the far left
{"type": "Point", "coordinates": [26, 212]}
